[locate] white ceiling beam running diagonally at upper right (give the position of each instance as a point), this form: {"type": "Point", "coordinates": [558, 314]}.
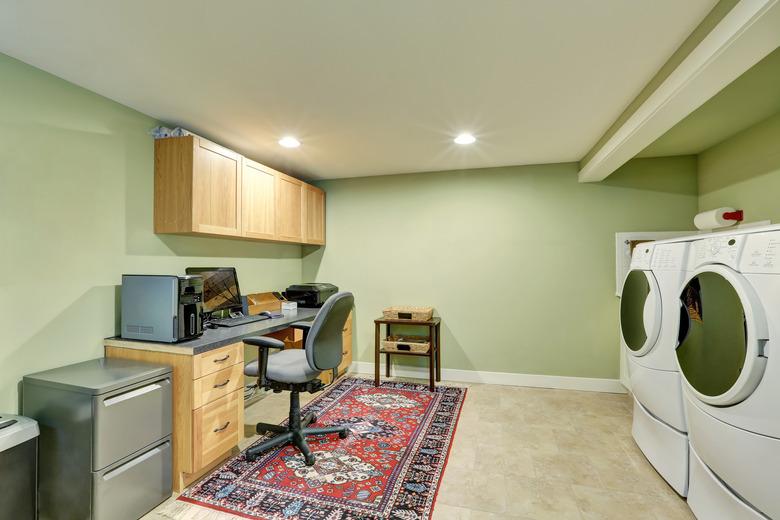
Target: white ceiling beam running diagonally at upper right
{"type": "Point", "coordinates": [749, 32]}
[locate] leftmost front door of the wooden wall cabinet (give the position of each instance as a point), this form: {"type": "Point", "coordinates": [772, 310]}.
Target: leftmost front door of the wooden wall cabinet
{"type": "Point", "coordinates": [216, 190]}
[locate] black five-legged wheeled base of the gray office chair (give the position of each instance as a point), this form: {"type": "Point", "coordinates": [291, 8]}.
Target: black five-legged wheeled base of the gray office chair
{"type": "Point", "coordinates": [295, 433]}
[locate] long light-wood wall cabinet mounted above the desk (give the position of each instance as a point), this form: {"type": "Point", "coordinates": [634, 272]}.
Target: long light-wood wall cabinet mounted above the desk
{"type": "Point", "coordinates": [203, 188]}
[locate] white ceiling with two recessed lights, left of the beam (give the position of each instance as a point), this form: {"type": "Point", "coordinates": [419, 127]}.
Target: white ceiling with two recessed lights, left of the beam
{"type": "Point", "coordinates": [369, 87]}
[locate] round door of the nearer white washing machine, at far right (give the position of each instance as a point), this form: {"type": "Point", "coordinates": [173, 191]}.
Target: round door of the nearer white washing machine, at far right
{"type": "Point", "coordinates": [721, 356]}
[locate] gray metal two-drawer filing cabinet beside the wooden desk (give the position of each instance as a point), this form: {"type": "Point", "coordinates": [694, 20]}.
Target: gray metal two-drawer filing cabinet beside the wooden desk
{"type": "Point", "coordinates": [105, 443]}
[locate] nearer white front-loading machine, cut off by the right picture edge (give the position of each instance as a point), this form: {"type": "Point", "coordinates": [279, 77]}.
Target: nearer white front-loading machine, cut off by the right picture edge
{"type": "Point", "coordinates": [730, 363]}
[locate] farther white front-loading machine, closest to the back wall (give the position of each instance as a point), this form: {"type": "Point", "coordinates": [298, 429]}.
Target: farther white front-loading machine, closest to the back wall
{"type": "Point", "coordinates": [650, 312]}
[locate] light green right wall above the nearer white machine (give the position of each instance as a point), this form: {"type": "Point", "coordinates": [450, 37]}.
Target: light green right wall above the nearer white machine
{"type": "Point", "coordinates": [744, 172]}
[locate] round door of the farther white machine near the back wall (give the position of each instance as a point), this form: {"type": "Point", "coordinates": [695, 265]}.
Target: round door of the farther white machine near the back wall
{"type": "Point", "coordinates": [640, 312]}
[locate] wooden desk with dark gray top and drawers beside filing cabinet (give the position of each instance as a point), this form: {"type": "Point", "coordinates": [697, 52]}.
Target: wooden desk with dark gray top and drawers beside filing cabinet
{"type": "Point", "coordinates": [208, 390]}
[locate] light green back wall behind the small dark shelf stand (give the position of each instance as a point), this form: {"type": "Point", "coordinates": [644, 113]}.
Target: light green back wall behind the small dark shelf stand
{"type": "Point", "coordinates": [518, 261]}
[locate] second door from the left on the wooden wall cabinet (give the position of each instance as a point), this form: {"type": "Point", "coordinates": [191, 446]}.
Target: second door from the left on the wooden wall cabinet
{"type": "Point", "coordinates": [258, 188]}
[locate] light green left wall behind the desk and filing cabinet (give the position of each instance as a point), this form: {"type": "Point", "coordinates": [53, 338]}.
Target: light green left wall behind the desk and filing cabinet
{"type": "Point", "coordinates": [76, 179]}
